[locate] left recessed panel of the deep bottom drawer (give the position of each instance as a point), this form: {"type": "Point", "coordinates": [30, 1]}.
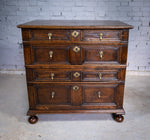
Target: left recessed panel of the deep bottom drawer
{"type": "Point", "coordinates": [52, 95]}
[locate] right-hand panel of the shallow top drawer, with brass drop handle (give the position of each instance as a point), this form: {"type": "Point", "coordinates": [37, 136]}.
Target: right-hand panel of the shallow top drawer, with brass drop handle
{"type": "Point", "coordinates": [101, 35]}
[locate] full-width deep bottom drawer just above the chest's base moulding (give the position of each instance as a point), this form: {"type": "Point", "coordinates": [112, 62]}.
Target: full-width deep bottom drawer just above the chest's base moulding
{"type": "Point", "coordinates": [75, 96]}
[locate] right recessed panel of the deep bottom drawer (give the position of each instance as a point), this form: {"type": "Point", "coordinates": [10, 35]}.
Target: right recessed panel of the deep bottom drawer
{"type": "Point", "coordinates": [99, 94]}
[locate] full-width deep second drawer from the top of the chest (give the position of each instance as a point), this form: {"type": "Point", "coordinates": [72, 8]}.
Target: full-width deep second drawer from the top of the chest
{"type": "Point", "coordinates": [75, 54]}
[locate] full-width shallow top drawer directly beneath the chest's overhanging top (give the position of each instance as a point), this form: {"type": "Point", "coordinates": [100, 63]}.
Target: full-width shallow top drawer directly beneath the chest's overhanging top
{"type": "Point", "coordinates": [75, 35]}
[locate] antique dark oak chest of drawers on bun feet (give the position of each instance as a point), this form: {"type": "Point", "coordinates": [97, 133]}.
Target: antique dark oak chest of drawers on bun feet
{"type": "Point", "coordinates": [75, 66]}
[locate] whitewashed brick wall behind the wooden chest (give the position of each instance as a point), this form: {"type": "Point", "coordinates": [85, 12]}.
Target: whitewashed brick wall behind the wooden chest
{"type": "Point", "coordinates": [134, 12]}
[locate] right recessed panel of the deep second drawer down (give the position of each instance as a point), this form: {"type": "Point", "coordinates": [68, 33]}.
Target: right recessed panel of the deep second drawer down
{"type": "Point", "coordinates": [102, 54]}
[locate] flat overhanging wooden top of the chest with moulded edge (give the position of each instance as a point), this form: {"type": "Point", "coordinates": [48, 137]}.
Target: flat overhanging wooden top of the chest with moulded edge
{"type": "Point", "coordinates": [76, 24]}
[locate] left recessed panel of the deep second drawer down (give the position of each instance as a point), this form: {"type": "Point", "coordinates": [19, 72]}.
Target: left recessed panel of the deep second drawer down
{"type": "Point", "coordinates": [50, 54]}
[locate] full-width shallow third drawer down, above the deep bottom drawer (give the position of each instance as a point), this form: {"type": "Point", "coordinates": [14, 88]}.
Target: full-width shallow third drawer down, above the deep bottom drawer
{"type": "Point", "coordinates": [76, 75]}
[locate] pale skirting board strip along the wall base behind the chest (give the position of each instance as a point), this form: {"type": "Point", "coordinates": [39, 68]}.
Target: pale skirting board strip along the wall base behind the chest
{"type": "Point", "coordinates": [129, 72]}
